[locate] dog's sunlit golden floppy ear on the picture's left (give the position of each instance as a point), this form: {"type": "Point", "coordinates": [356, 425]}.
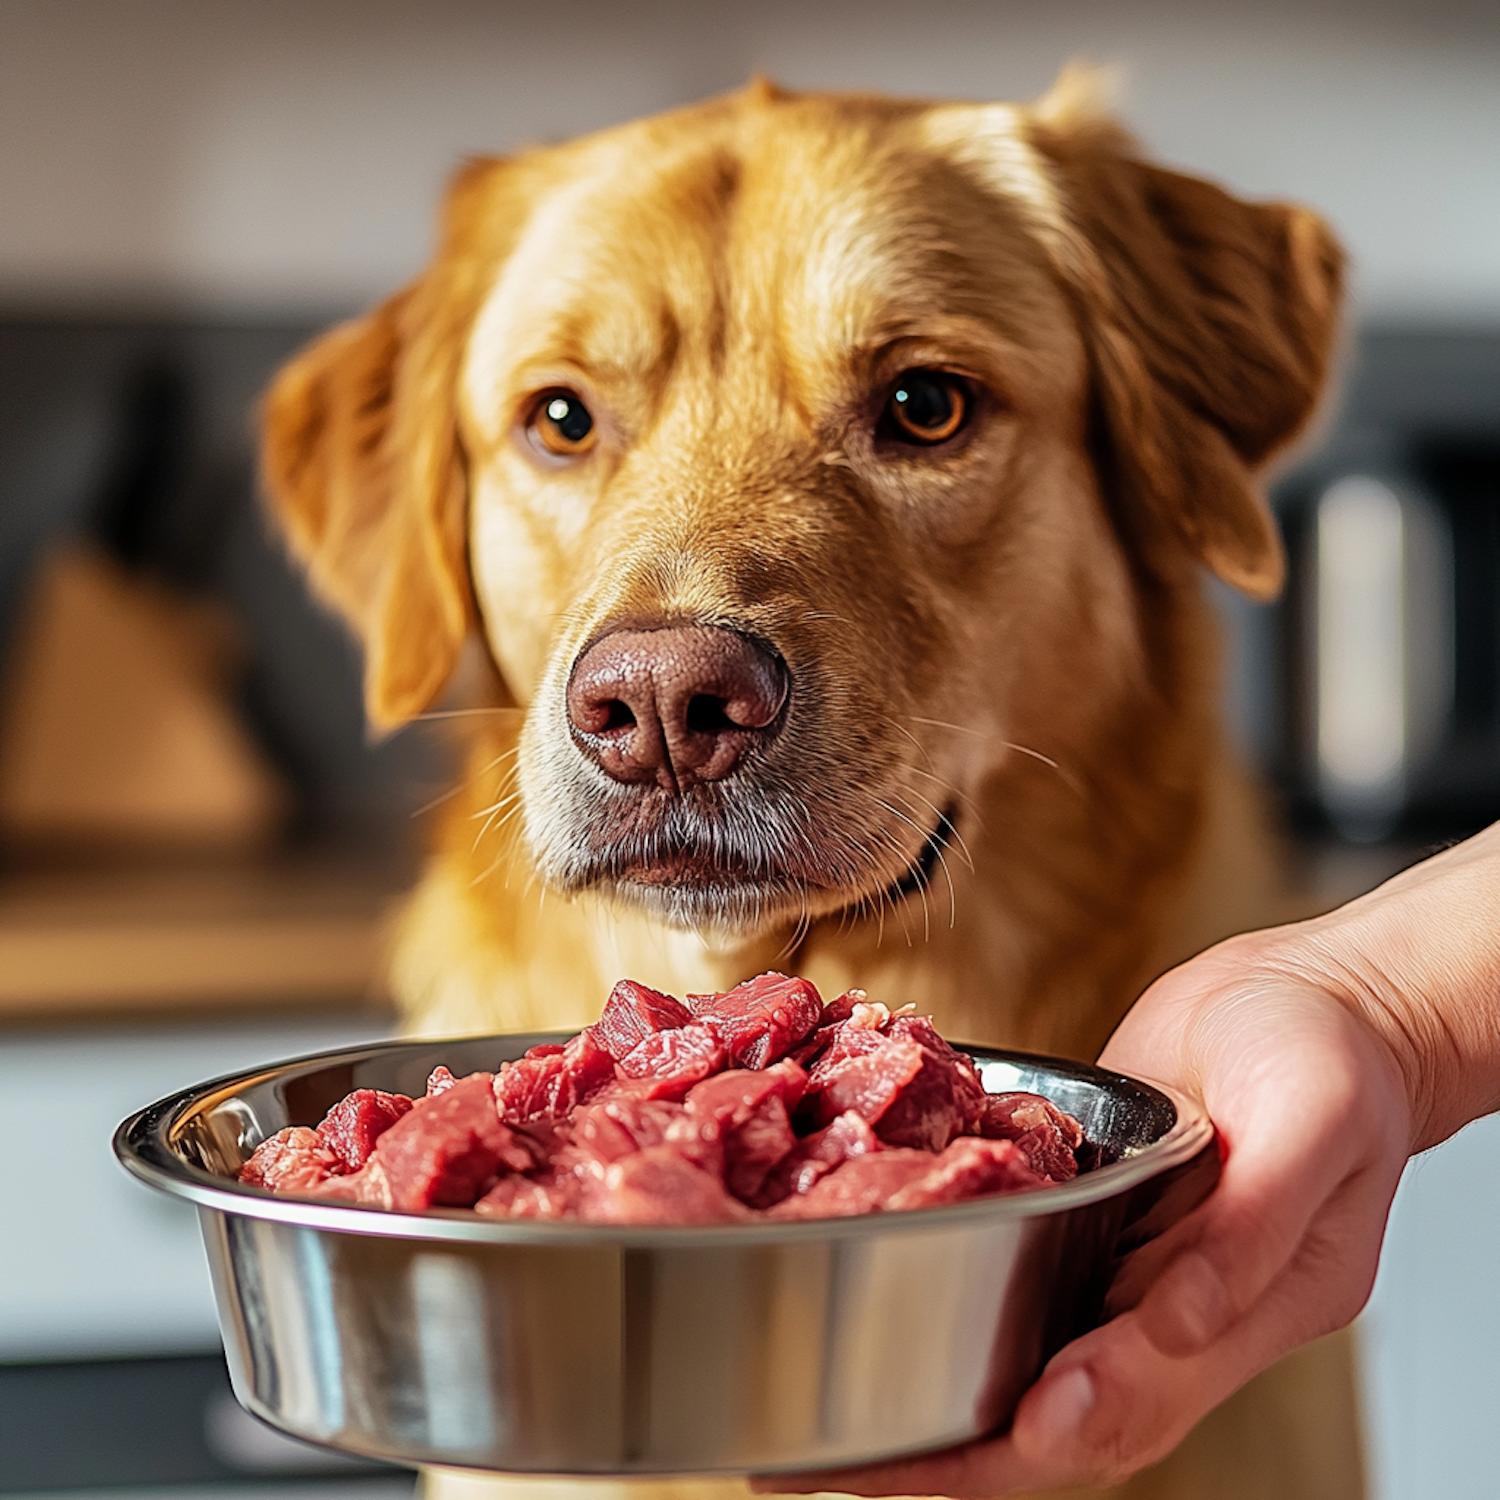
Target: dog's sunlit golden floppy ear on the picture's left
{"type": "Point", "coordinates": [365, 470]}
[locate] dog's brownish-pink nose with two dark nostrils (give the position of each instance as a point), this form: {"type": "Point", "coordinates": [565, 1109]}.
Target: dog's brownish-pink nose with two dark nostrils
{"type": "Point", "coordinates": [674, 706]}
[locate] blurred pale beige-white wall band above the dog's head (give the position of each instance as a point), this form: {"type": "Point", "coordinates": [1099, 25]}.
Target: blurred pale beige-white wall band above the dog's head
{"type": "Point", "coordinates": [286, 154]}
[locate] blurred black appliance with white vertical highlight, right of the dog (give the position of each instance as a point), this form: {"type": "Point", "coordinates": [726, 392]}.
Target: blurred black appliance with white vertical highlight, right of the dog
{"type": "Point", "coordinates": [1385, 650]}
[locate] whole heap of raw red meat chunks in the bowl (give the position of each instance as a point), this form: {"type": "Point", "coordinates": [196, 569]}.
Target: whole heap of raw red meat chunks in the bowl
{"type": "Point", "coordinates": [755, 1105]}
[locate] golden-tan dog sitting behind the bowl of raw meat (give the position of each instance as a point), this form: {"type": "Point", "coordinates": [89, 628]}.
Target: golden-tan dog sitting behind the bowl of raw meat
{"type": "Point", "coordinates": [815, 493]}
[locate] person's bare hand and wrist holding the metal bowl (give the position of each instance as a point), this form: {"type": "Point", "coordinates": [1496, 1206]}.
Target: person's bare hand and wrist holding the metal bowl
{"type": "Point", "coordinates": [1328, 1054]}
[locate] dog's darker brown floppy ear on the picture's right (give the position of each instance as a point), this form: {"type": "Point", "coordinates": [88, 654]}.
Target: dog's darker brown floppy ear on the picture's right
{"type": "Point", "coordinates": [1211, 325]}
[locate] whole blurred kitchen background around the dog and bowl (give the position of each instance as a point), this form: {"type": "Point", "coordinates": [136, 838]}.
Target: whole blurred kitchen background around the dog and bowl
{"type": "Point", "coordinates": [199, 844]}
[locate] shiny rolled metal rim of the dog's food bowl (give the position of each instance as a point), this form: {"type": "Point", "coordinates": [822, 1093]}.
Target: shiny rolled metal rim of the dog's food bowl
{"type": "Point", "coordinates": [143, 1145]}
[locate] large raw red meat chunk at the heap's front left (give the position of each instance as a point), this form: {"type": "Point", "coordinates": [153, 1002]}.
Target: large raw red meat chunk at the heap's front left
{"type": "Point", "coordinates": [449, 1148]}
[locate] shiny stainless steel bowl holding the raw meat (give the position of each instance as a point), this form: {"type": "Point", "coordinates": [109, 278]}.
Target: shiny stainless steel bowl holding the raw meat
{"type": "Point", "coordinates": [580, 1349]}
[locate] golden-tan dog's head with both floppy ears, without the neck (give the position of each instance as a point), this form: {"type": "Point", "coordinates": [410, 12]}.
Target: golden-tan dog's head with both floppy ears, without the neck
{"type": "Point", "coordinates": [802, 460]}
